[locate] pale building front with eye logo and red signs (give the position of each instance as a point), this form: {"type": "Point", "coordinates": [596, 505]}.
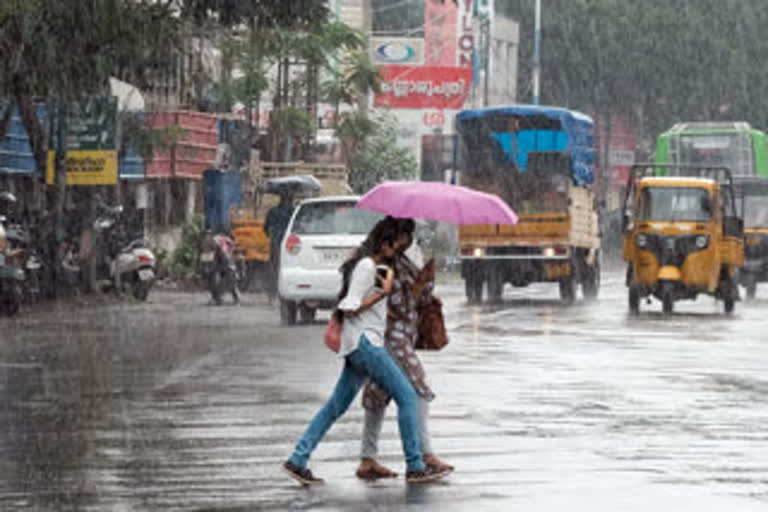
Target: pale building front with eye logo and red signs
{"type": "Point", "coordinates": [436, 57]}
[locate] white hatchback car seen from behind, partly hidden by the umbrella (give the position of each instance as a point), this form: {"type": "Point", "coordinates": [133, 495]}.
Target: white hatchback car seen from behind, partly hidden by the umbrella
{"type": "Point", "coordinates": [322, 234]}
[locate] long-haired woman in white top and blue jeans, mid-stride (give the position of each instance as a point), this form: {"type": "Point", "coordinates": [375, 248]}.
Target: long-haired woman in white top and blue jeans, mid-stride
{"type": "Point", "coordinates": [364, 308]}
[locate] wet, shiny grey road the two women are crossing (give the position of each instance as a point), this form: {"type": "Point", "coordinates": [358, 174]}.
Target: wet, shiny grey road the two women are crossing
{"type": "Point", "coordinates": [176, 405]}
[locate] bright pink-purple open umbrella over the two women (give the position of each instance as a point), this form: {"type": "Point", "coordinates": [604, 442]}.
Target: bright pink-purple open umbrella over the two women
{"type": "Point", "coordinates": [431, 200]}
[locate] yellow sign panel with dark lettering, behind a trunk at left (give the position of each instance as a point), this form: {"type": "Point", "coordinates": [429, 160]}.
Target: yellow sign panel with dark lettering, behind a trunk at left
{"type": "Point", "coordinates": [86, 167]}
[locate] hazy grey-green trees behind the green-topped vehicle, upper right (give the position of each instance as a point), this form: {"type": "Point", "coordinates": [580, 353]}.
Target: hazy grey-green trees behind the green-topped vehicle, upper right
{"type": "Point", "coordinates": [661, 60]}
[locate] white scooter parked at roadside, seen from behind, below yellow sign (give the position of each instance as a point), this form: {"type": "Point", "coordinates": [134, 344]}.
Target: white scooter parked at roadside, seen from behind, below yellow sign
{"type": "Point", "coordinates": [122, 264]}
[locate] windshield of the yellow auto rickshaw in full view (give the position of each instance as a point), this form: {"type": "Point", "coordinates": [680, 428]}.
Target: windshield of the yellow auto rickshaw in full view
{"type": "Point", "coordinates": [675, 204]}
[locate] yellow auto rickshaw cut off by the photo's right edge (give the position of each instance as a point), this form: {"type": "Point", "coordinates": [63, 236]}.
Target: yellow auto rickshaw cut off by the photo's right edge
{"type": "Point", "coordinates": [752, 197]}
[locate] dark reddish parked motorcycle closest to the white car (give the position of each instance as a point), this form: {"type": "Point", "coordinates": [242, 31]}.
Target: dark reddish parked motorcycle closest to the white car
{"type": "Point", "coordinates": [218, 267]}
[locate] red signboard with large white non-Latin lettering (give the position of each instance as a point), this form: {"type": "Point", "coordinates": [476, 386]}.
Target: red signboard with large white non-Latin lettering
{"type": "Point", "coordinates": [420, 87]}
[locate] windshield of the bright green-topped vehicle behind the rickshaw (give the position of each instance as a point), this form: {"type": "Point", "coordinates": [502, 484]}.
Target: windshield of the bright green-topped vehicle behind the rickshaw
{"type": "Point", "coordinates": [733, 150]}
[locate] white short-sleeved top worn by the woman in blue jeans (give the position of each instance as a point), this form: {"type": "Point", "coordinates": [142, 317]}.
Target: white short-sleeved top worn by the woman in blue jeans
{"type": "Point", "coordinates": [371, 322]}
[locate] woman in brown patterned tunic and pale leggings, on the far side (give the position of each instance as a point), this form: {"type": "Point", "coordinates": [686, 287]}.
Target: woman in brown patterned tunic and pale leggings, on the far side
{"type": "Point", "coordinates": [411, 288]}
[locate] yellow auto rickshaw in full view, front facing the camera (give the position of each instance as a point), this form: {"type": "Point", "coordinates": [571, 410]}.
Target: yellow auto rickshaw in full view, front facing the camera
{"type": "Point", "coordinates": [682, 235]}
